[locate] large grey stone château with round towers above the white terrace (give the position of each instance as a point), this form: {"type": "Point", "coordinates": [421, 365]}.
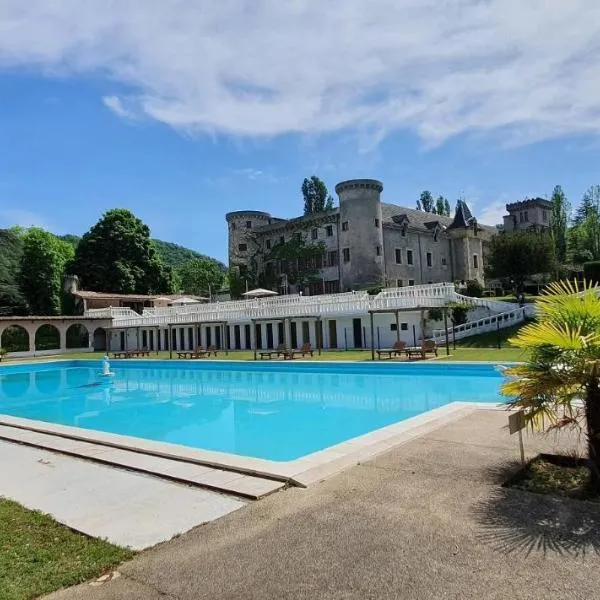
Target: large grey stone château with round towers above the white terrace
{"type": "Point", "coordinates": [366, 243]}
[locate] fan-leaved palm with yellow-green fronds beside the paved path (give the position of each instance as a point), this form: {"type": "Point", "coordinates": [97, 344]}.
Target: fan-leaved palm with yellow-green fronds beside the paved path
{"type": "Point", "coordinates": [560, 385]}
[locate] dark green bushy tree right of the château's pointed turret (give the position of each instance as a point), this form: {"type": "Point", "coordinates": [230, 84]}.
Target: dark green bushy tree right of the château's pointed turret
{"type": "Point", "coordinates": [516, 256]}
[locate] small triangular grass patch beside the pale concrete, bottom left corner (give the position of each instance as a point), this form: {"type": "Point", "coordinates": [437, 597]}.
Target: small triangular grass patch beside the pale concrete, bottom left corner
{"type": "Point", "coordinates": [39, 555]}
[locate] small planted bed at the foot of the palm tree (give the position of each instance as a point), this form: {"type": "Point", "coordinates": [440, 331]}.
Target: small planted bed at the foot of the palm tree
{"type": "Point", "coordinates": [556, 476]}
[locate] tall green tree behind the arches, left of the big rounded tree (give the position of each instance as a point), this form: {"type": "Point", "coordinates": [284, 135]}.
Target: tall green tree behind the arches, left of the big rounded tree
{"type": "Point", "coordinates": [43, 264]}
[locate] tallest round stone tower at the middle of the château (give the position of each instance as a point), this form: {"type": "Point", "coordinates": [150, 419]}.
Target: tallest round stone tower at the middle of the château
{"type": "Point", "coordinates": [360, 234]}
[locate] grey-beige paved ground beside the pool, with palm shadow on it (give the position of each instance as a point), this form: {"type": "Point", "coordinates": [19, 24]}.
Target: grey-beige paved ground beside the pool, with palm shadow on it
{"type": "Point", "coordinates": [427, 520]}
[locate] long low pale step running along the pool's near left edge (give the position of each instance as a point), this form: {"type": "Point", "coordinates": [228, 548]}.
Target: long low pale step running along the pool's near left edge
{"type": "Point", "coordinates": [229, 482]}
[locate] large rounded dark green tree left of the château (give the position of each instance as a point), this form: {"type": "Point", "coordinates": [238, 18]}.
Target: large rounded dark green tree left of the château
{"type": "Point", "coordinates": [116, 255]}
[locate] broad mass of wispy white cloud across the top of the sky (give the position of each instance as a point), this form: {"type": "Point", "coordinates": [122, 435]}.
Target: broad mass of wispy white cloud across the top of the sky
{"type": "Point", "coordinates": [265, 67]}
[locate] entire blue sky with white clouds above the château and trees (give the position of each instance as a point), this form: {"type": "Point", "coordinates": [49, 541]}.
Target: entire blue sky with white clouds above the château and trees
{"type": "Point", "coordinates": [196, 109]}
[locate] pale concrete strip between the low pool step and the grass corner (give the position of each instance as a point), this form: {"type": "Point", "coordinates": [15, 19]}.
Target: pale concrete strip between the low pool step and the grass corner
{"type": "Point", "coordinates": [126, 508]}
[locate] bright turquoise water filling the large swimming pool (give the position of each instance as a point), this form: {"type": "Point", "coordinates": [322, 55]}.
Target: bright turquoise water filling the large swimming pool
{"type": "Point", "coordinates": [272, 410]}
